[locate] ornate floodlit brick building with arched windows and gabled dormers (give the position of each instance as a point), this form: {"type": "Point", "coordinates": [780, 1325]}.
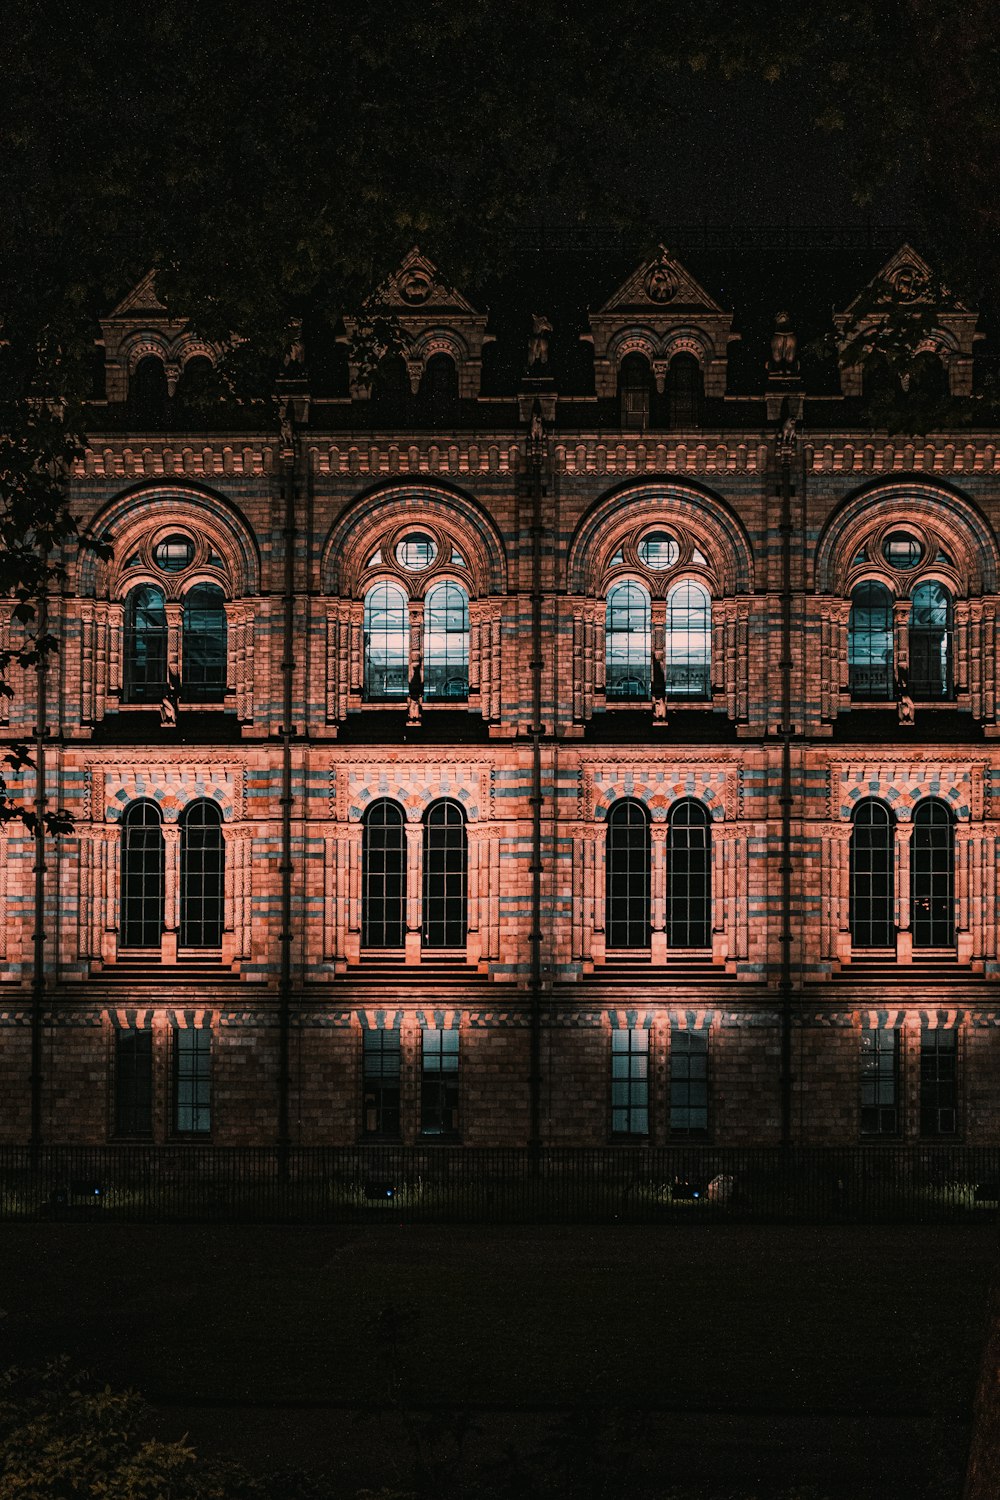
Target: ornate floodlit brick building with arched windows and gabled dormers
{"type": "Point", "coordinates": [519, 748]}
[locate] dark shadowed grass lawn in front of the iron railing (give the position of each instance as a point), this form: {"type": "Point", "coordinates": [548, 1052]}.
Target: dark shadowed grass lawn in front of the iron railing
{"type": "Point", "coordinates": [839, 1357]}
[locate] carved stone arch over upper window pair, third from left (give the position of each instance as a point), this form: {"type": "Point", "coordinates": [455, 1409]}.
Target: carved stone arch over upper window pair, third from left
{"type": "Point", "coordinates": [707, 518]}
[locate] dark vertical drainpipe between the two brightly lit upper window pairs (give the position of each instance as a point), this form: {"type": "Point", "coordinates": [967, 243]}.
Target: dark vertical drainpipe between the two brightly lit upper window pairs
{"type": "Point", "coordinates": [536, 458]}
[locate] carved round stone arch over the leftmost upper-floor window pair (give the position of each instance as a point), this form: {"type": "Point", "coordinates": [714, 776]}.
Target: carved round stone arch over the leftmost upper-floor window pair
{"type": "Point", "coordinates": [133, 515]}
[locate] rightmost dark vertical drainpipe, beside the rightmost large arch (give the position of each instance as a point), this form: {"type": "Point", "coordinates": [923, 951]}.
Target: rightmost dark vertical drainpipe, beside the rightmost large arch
{"type": "Point", "coordinates": [785, 667]}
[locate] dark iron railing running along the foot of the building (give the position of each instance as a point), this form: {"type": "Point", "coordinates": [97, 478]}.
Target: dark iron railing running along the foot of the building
{"type": "Point", "coordinates": [451, 1184]}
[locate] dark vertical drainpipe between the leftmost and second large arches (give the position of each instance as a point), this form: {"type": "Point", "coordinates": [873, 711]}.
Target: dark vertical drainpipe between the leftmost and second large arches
{"type": "Point", "coordinates": [286, 802]}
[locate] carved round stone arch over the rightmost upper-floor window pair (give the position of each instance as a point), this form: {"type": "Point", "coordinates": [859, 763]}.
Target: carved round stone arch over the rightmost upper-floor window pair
{"type": "Point", "coordinates": [962, 526]}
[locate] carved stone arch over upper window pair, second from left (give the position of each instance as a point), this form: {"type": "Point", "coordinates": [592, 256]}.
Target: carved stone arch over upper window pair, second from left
{"type": "Point", "coordinates": [385, 508]}
